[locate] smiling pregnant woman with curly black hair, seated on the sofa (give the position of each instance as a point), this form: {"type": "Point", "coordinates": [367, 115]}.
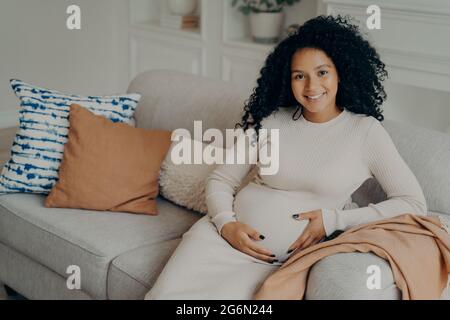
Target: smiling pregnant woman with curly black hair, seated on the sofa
{"type": "Point", "coordinates": [321, 87]}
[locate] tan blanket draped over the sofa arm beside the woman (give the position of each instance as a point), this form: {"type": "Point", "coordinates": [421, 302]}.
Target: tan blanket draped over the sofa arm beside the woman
{"type": "Point", "coordinates": [417, 248]}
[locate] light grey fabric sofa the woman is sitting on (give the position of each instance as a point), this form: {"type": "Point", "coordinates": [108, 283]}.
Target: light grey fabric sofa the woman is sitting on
{"type": "Point", "coordinates": [120, 255]}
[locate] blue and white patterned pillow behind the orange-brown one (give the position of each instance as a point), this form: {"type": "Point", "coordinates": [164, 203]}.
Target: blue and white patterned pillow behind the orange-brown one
{"type": "Point", "coordinates": [38, 147]}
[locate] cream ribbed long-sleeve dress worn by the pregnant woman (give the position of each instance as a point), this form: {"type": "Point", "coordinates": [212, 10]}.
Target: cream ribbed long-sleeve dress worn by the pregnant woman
{"type": "Point", "coordinates": [320, 166]}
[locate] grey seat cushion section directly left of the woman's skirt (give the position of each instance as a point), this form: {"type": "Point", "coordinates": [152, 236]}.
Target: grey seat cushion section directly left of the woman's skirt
{"type": "Point", "coordinates": [132, 274]}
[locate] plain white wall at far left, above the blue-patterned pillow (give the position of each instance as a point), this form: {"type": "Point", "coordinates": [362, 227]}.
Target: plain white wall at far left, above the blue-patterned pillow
{"type": "Point", "coordinates": [36, 47]}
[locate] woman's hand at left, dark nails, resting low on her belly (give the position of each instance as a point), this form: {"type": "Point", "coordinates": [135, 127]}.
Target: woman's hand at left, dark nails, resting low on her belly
{"type": "Point", "coordinates": [242, 237]}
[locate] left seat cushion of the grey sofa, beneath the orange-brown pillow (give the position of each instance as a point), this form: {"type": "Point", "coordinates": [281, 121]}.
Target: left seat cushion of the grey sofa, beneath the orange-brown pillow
{"type": "Point", "coordinates": [58, 238]}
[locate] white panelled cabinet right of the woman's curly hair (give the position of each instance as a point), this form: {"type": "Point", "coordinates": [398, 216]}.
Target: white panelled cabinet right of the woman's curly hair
{"type": "Point", "coordinates": [414, 43]}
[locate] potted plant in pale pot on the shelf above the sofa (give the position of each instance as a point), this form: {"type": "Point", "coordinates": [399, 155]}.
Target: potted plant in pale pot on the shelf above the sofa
{"type": "Point", "coordinates": [266, 17]}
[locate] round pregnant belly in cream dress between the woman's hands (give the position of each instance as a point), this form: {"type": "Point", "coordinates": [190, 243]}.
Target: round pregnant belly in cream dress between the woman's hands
{"type": "Point", "coordinates": [270, 211]}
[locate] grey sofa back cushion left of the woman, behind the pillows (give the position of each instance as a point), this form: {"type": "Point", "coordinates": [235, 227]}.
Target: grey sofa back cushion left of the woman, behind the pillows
{"type": "Point", "coordinates": [173, 99]}
